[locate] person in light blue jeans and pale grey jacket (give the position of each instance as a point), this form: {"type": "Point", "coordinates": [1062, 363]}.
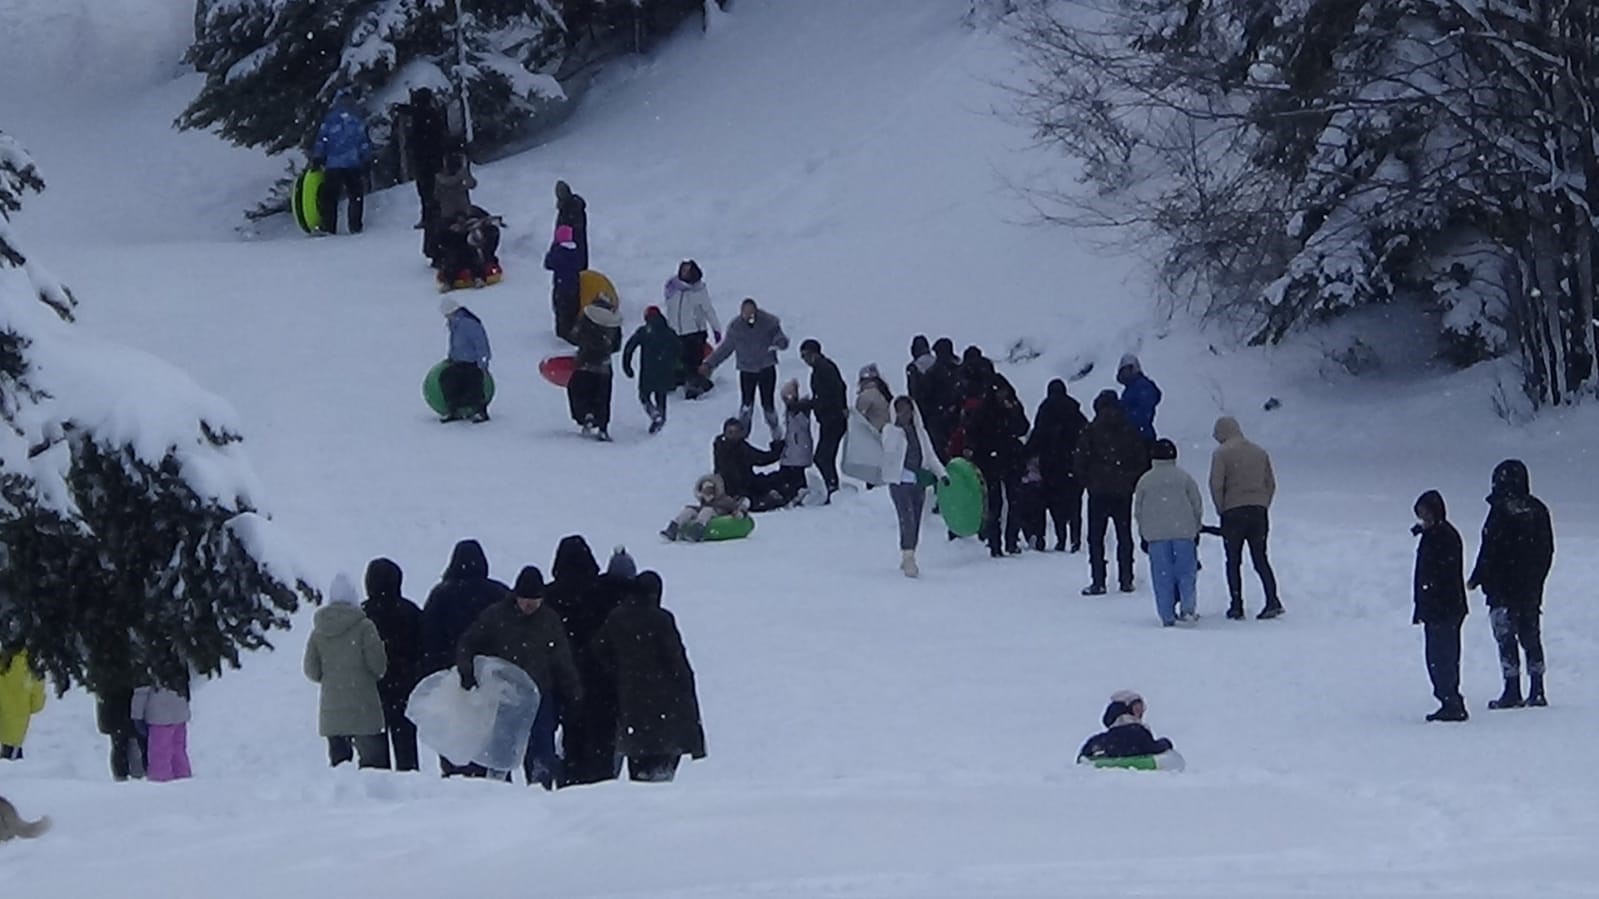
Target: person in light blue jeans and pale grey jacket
{"type": "Point", "coordinates": [1170, 511]}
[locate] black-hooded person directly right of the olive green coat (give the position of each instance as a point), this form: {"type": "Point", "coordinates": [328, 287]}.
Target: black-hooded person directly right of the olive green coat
{"type": "Point", "coordinates": [401, 628]}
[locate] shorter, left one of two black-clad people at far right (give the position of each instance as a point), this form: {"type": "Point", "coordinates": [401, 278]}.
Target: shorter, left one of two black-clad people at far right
{"type": "Point", "coordinates": [1441, 602]}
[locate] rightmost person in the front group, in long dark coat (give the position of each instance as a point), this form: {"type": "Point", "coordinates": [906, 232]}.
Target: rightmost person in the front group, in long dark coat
{"type": "Point", "coordinates": [660, 717]}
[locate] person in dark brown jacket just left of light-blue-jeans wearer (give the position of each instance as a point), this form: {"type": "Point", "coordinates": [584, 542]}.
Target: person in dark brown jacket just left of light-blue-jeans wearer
{"type": "Point", "coordinates": [1109, 461]}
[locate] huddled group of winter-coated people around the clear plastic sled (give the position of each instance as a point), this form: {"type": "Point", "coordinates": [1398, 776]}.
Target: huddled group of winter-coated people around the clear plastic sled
{"type": "Point", "coordinates": [608, 661]}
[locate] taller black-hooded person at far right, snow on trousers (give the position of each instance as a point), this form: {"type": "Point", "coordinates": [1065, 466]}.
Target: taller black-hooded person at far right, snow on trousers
{"type": "Point", "coordinates": [1513, 564]}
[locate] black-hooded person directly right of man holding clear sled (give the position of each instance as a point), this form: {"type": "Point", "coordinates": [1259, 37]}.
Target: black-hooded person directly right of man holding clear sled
{"type": "Point", "coordinates": [584, 601]}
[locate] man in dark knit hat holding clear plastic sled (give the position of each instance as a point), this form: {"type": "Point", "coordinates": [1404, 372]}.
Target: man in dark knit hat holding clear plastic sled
{"type": "Point", "coordinates": [528, 634]}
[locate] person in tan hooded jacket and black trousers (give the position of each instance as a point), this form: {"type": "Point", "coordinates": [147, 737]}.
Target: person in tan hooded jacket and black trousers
{"type": "Point", "coordinates": [1243, 489]}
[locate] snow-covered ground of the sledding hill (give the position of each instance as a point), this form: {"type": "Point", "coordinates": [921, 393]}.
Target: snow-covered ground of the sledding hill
{"type": "Point", "coordinates": [869, 737]}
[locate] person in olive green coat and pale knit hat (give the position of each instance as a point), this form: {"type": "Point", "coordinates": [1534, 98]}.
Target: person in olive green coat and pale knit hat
{"type": "Point", "coordinates": [346, 657]}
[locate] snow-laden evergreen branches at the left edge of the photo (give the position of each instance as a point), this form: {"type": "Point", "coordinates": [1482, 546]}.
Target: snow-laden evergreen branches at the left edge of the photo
{"type": "Point", "coordinates": [130, 543]}
